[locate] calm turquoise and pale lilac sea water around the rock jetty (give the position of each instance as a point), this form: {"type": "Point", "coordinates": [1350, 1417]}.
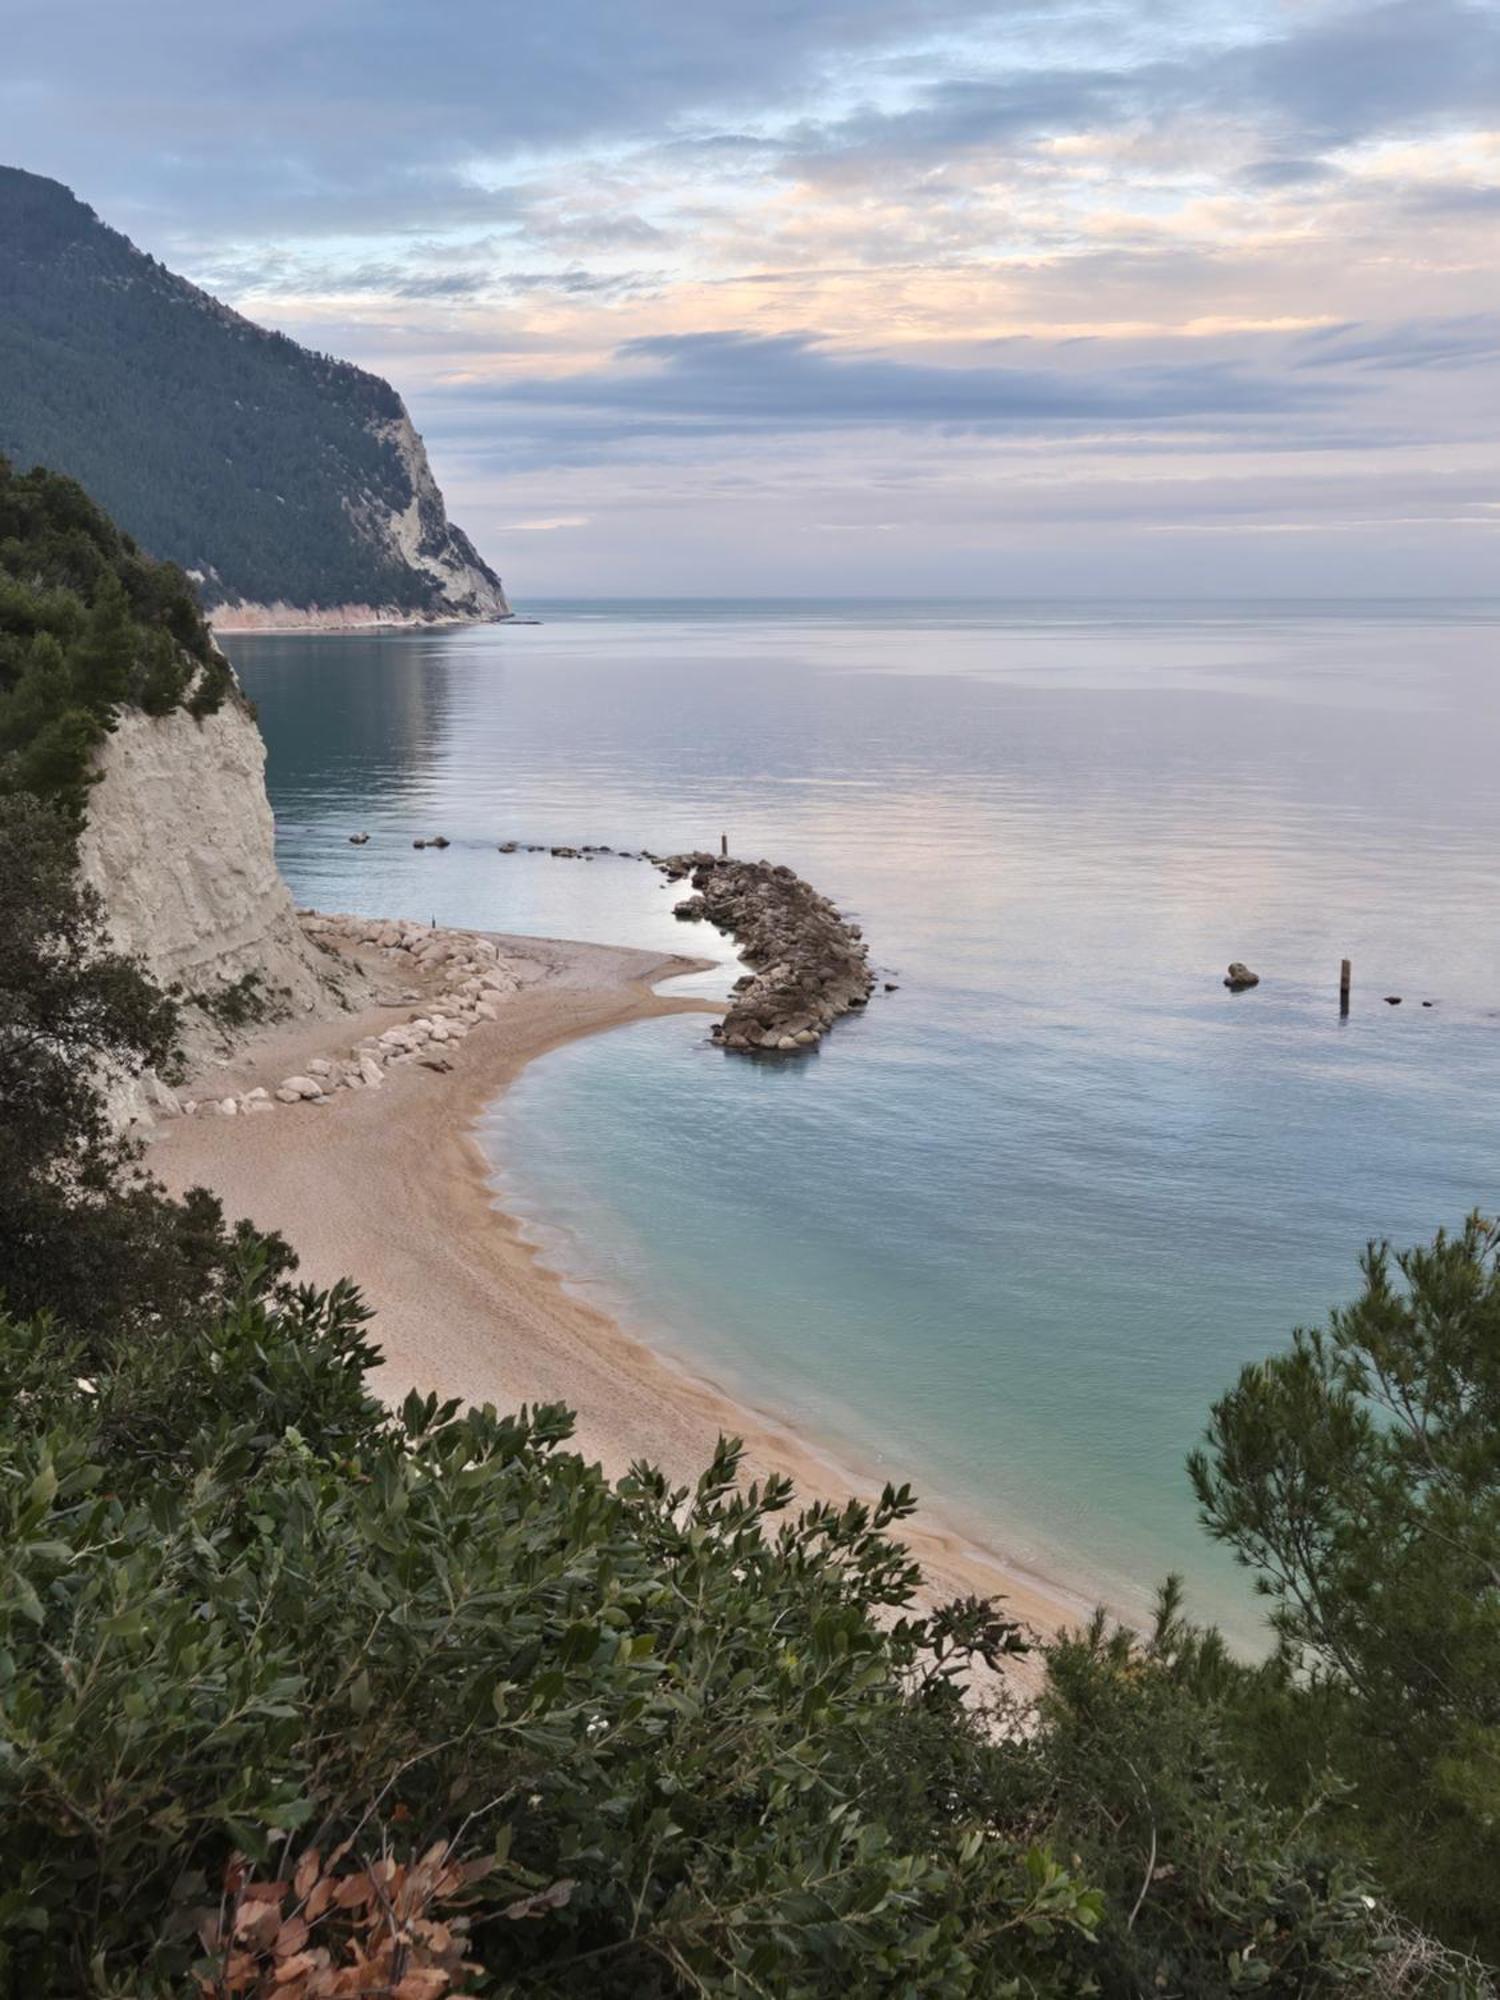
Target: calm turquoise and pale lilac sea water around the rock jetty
{"type": "Point", "coordinates": [1011, 1233]}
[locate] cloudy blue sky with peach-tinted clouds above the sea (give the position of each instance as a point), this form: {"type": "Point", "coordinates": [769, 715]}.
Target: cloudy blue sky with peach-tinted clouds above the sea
{"type": "Point", "coordinates": [851, 297]}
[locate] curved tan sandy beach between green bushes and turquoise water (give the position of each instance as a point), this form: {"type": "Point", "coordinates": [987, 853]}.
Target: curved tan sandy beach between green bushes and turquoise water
{"type": "Point", "coordinates": [389, 1187]}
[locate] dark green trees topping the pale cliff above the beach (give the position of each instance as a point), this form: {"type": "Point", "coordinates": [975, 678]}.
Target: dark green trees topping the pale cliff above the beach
{"type": "Point", "coordinates": [87, 627]}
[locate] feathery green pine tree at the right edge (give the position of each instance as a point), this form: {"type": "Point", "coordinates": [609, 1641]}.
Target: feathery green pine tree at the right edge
{"type": "Point", "coordinates": [1359, 1477]}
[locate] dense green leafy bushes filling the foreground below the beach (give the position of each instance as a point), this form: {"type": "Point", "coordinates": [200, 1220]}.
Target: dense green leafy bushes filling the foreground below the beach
{"type": "Point", "coordinates": [701, 1739]}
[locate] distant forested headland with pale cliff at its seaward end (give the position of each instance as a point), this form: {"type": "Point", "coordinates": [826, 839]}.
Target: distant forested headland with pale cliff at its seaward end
{"type": "Point", "coordinates": [289, 485]}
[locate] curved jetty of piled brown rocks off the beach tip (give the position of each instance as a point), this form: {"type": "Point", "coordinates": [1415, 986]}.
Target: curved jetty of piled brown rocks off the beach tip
{"type": "Point", "coordinates": [811, 965]}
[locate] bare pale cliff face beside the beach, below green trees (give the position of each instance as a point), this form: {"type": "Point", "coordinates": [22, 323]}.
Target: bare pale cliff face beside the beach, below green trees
{"type": "Point", "coordinates": [181, 847]}
